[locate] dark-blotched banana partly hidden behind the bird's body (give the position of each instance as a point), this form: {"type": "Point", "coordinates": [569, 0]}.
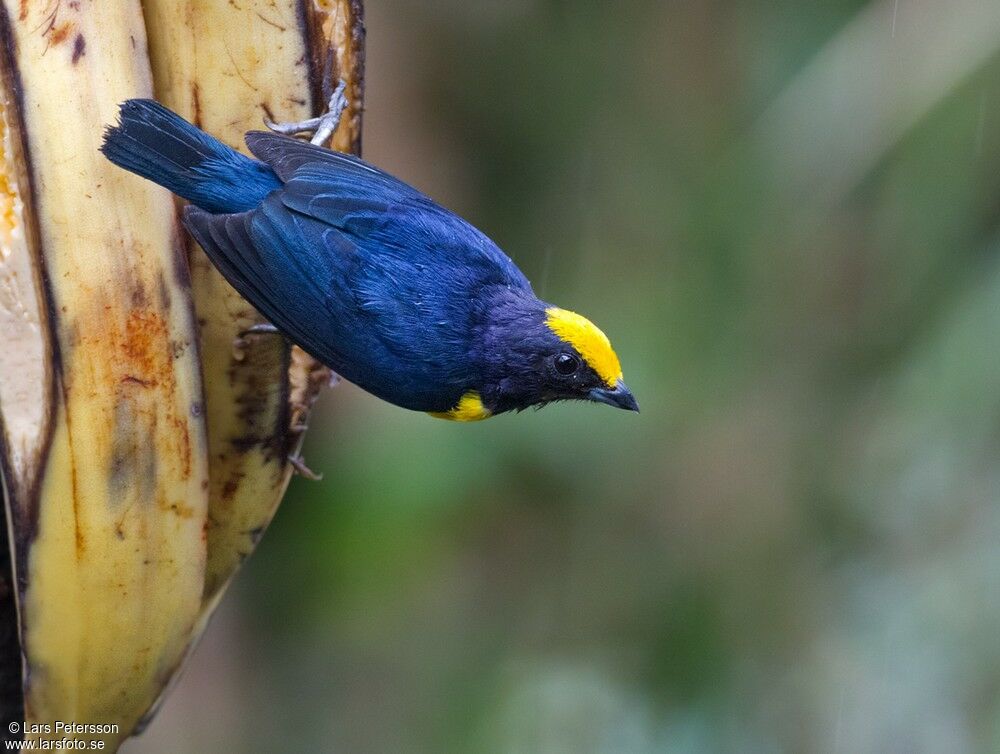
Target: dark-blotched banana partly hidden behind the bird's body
{"type": "Point", "coordinates": [225, 67]}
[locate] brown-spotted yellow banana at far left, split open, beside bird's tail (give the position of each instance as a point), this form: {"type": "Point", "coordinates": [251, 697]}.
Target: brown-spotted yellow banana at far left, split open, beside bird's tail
{"type": "Point", "coordinates": [104, 442]}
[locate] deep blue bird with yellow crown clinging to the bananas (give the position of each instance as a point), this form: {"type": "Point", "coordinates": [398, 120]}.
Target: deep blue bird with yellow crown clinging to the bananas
{"type": "Point", "coordinates": [368, 275]}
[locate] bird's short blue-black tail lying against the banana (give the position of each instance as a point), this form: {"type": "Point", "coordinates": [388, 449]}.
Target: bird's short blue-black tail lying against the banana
{"type": "Point", "coordinates": [160, 145]}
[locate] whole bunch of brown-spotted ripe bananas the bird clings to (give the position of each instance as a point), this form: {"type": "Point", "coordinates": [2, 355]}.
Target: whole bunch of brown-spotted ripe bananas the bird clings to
{"type": "Point", "coordinates": [133, 489]}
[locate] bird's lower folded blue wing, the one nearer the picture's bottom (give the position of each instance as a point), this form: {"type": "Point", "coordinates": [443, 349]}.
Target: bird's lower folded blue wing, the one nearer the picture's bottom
{"type": "Point", "coordinates": [390, 326]}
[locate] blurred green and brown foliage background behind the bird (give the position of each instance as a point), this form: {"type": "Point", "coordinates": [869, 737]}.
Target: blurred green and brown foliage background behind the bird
{"type": "Point", "coordinates": [786, 217]}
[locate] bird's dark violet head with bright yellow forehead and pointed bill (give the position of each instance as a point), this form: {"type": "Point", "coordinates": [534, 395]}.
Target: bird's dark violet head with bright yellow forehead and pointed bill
{"type": "Point", "coordinates": [534, 354]}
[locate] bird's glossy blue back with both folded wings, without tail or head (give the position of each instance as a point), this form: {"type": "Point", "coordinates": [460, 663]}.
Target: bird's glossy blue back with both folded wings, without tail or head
{"type": "Point", "coordinates": [364, 272]}
